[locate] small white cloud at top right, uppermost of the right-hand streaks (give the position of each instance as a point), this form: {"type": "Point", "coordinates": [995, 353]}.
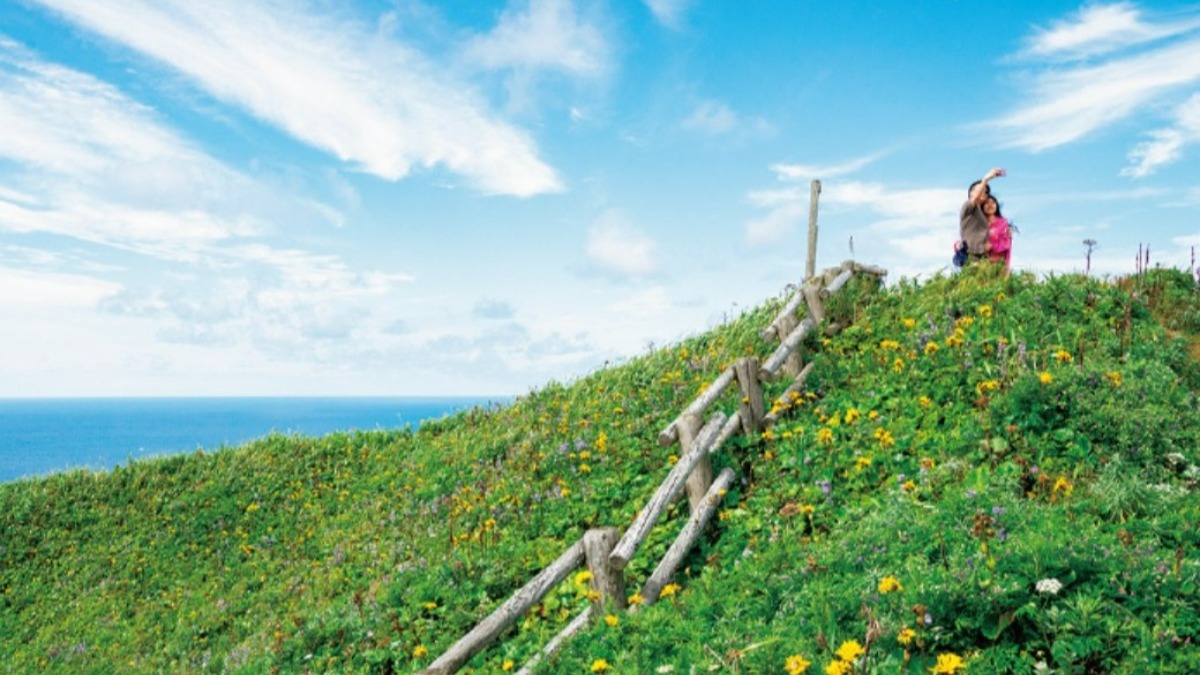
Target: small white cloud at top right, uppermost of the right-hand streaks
{"type": "Point", "coordinates": [1097, 29]}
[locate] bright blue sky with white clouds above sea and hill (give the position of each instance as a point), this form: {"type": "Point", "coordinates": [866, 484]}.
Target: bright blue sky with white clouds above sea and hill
{"type": "Point", "coordinates": [278, 198]}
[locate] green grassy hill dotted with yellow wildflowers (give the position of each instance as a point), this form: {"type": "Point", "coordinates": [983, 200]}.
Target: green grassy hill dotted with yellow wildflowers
{"type": "Point", "coordinates": [986, 475]}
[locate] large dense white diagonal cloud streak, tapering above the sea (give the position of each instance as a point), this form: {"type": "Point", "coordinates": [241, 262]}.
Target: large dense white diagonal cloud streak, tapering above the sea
{"type": "Point", "coordinates": [382, 107]}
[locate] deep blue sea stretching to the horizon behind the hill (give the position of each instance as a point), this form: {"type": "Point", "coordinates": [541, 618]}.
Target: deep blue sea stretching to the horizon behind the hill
{"type": "Point", "coordinates": [40, 437]}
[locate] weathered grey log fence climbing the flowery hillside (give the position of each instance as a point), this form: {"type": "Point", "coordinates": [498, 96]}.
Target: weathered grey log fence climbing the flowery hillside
{"type": "Point", "coordinates": [605, 551]}
